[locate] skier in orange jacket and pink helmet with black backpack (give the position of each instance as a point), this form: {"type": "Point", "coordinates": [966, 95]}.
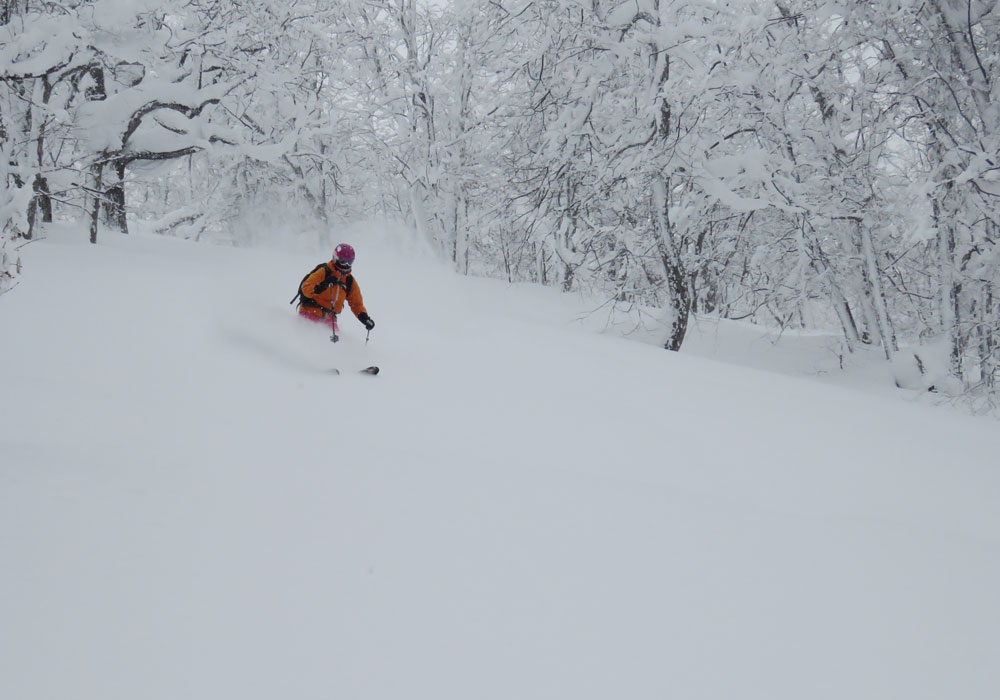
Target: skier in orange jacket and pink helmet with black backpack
{"type": "Point", "coordinates": [323, 291]}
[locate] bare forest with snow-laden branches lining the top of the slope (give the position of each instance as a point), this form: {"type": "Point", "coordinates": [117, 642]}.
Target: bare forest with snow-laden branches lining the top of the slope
{"type": "Point", "coordinates": [800, 164]}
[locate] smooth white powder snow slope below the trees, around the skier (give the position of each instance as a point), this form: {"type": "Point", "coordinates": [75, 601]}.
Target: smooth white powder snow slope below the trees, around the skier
{"type": "Point", "coordinates": [519, 507]}
